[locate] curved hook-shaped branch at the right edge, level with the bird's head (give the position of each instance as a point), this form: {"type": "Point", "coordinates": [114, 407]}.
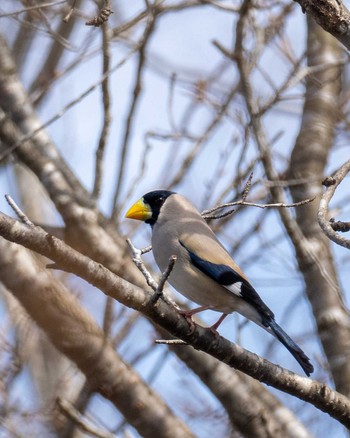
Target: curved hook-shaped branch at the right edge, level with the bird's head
{"type": "Point", "coordinates": [326, 225]}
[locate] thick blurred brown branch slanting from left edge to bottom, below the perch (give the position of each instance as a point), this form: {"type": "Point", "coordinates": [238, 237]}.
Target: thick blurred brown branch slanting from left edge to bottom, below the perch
{"type": "Point", "coordinates": [74, 332]}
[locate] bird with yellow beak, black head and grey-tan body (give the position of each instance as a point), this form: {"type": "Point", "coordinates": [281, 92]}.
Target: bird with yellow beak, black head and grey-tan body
{"type": "Point", "coordinates": [204, 271]}
